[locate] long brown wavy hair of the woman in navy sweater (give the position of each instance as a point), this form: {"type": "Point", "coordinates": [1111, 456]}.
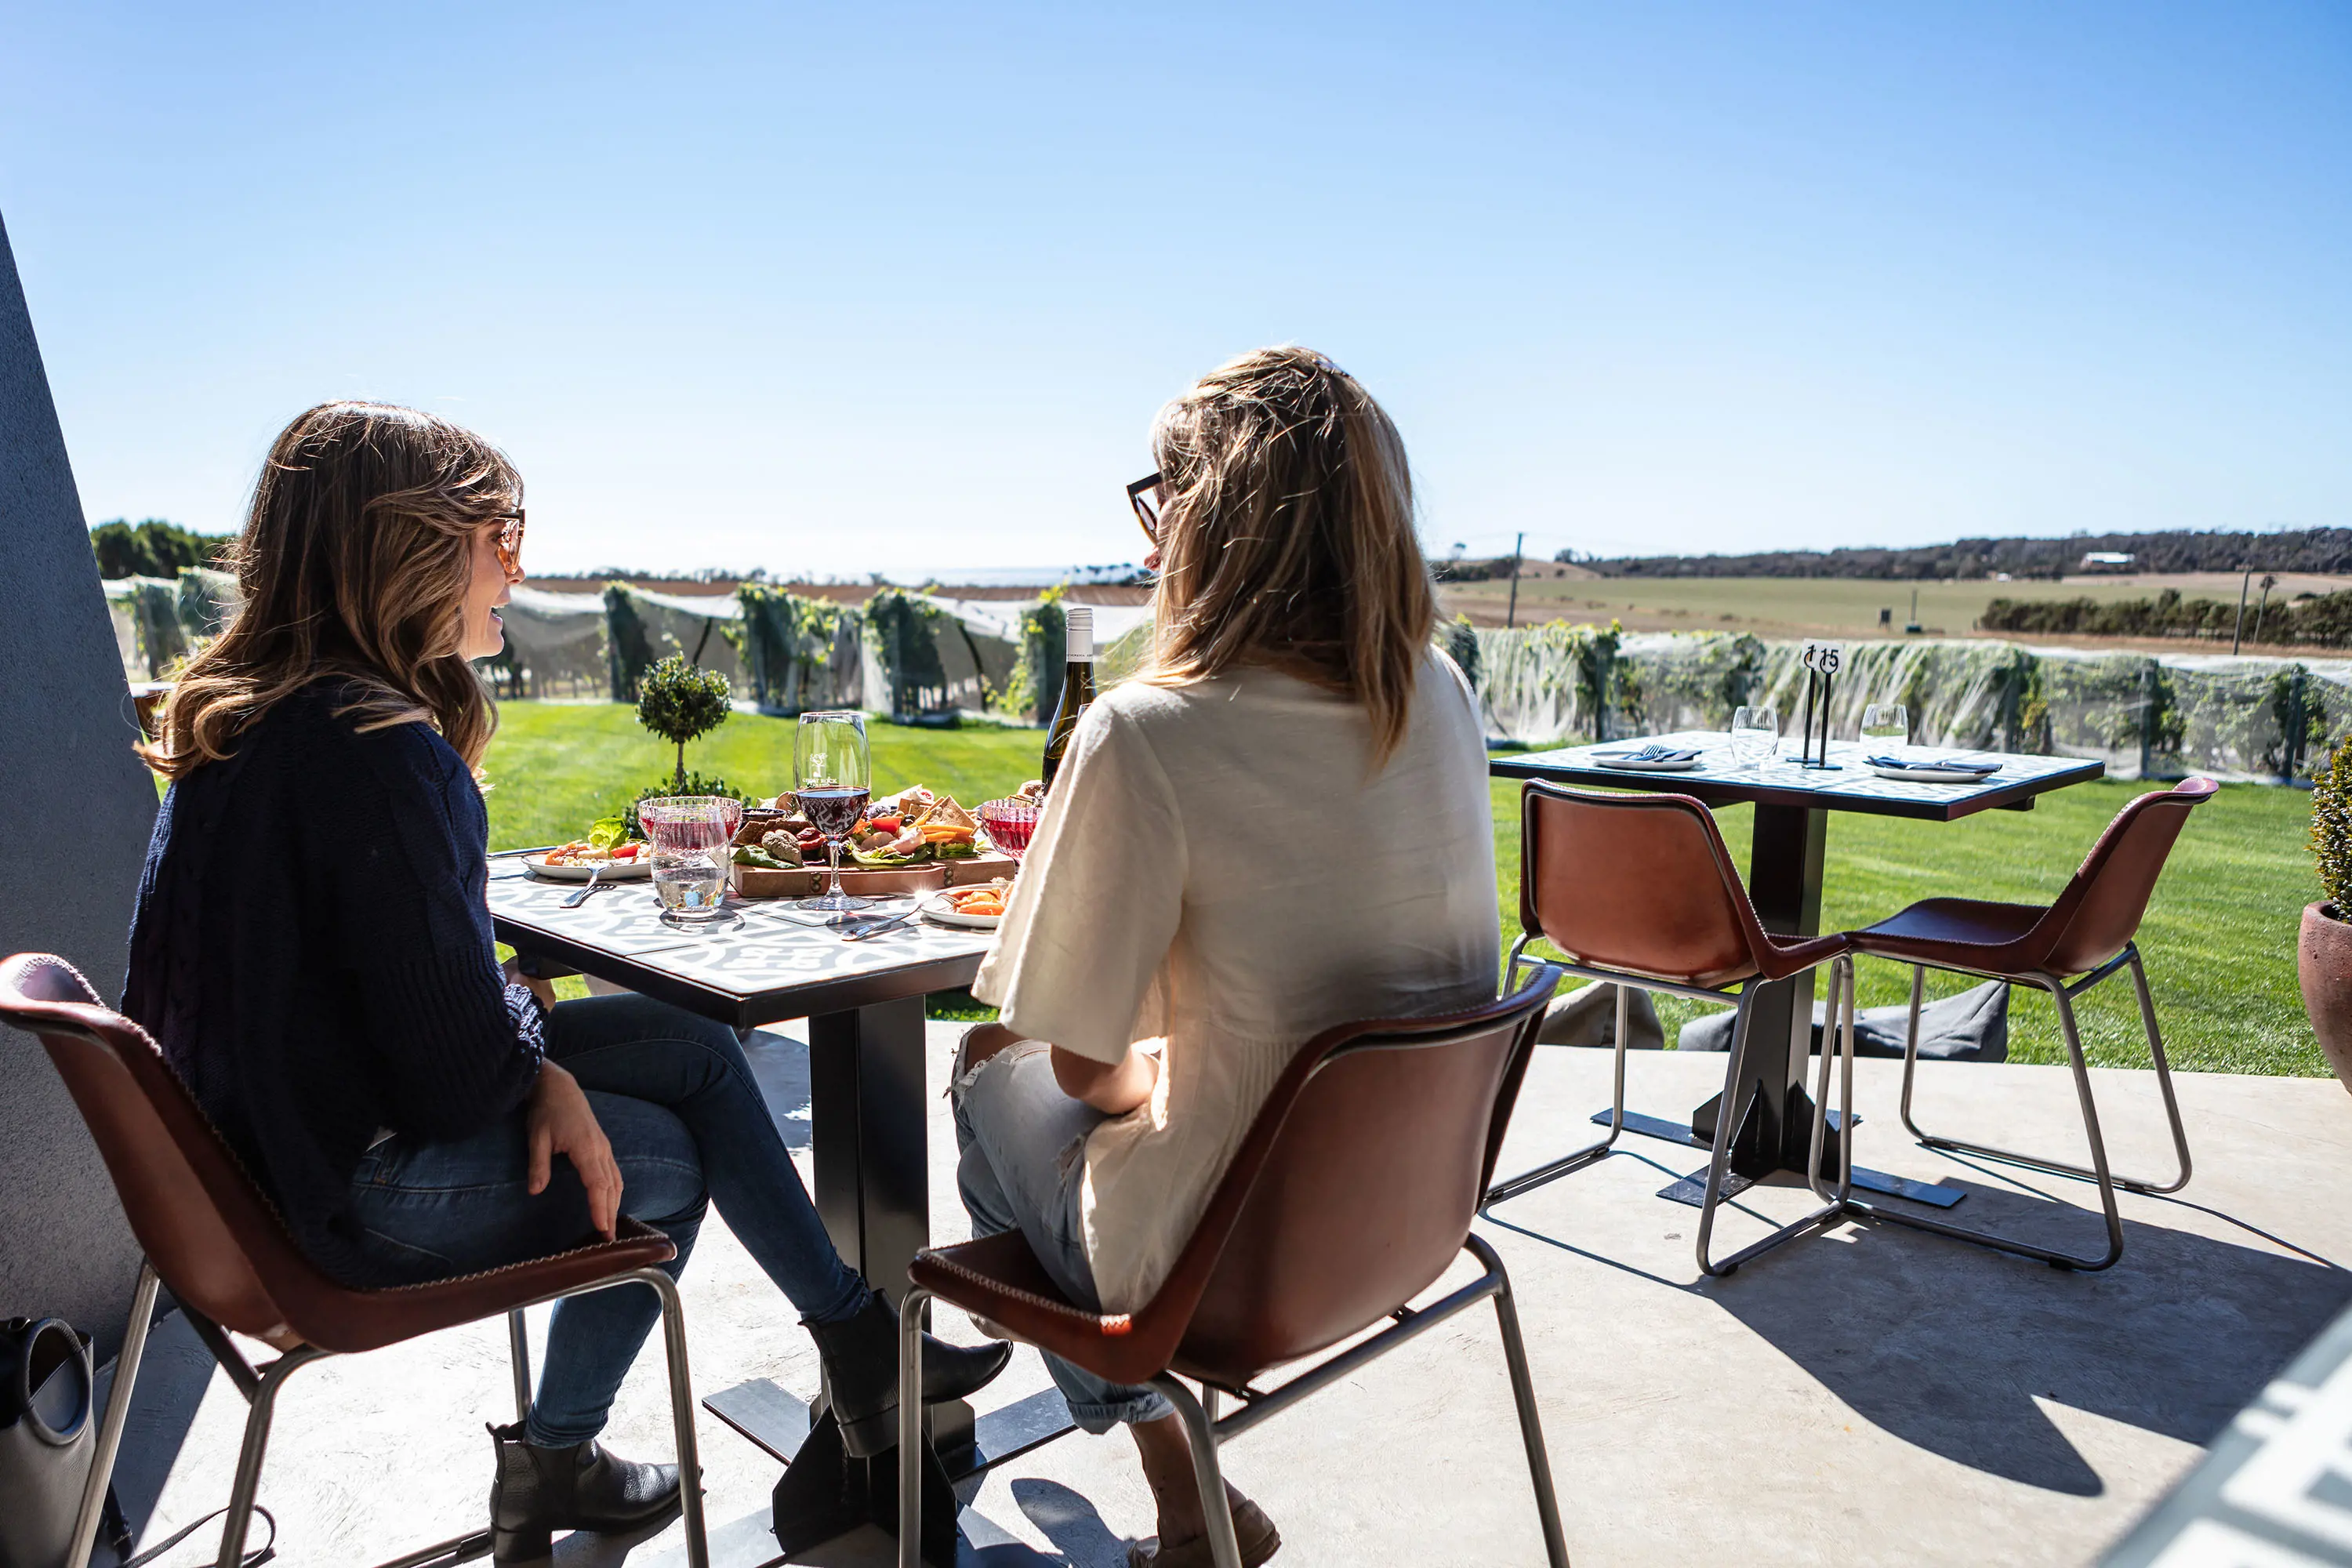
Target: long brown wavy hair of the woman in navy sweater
{"type": "Point", "coordinates": [354, 565]}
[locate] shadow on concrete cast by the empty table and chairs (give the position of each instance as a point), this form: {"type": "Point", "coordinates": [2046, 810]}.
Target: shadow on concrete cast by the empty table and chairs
{"type": "Point", "coordinates": [1956, 1348]}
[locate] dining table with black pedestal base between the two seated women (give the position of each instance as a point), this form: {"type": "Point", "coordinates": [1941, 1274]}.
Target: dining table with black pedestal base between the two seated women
{"type": "Point", "coordinates": [864, 1003]}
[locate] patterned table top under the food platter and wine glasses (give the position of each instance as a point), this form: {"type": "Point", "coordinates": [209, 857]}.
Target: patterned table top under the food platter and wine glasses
{"type": "Point", "coordinates": [761, 965]}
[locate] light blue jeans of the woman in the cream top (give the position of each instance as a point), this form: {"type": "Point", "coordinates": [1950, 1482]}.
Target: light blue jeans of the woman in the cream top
{"type": "Point", "coordinates": [1022, 1165]}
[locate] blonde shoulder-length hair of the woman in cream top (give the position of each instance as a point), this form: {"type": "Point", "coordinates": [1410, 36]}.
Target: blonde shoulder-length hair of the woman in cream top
{"type": "Point", "coordinates": [1288, 537]}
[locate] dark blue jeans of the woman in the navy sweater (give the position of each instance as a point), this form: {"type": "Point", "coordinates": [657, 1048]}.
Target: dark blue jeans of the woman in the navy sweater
{"type": "Point", "coordinates": [686, 1123]}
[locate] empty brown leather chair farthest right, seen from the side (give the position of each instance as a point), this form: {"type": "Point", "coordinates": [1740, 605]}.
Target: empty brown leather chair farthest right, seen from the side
{"type": "Point", "coordinates": [2066, 949]}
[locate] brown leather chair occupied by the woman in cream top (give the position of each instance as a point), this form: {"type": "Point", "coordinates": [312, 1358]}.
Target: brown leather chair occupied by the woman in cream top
{"type": "Point", "coordinates": [1351, 1195]}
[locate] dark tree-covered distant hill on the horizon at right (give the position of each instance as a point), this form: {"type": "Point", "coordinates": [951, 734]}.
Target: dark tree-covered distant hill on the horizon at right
{"type": "Point", "coordinates": [2327, 551]}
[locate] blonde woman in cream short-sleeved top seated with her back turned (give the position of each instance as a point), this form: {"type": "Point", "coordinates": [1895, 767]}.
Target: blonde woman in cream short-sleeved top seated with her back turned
{"type": "Point", "coordinates": [1281, 829]}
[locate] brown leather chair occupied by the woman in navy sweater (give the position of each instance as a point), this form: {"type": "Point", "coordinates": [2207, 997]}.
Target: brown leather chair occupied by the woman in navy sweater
{"type": "Point", "coordinates": [215, 1240]}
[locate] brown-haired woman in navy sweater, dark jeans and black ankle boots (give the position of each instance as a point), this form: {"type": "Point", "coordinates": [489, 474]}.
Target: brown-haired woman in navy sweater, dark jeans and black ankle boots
{"type": "Point", "coordinates": [314, 956]}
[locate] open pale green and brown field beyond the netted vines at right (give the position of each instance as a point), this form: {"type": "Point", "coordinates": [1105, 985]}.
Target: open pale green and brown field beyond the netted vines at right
{"type": "Point", "coordinates": [1843, 608]}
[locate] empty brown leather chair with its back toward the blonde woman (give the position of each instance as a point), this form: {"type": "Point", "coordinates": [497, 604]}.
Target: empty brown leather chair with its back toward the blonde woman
{"type": "Point", "coordinates": [1638, 890]}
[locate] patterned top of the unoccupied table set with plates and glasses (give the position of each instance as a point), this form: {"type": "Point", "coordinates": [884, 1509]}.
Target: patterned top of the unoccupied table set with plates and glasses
{"type": "Point", "coordinates": [1852, 786]}
